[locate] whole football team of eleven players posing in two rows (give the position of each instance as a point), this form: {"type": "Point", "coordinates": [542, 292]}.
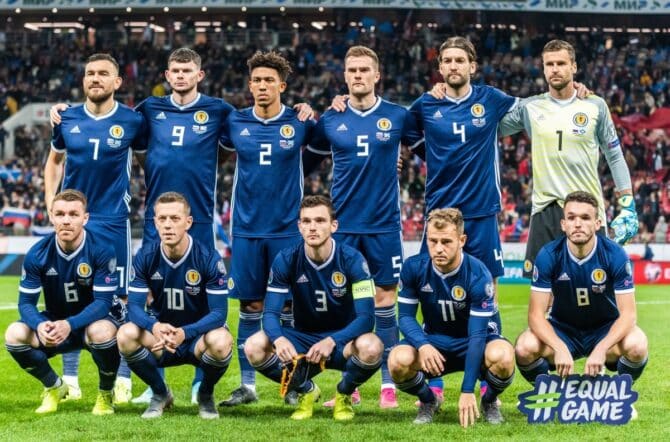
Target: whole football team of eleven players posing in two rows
{"type": "Point", "coordinates": [323, 277]}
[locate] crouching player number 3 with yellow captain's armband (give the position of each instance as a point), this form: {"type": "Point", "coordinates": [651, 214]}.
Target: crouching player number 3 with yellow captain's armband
{"type": "Point", "coordinates": [333, 308]}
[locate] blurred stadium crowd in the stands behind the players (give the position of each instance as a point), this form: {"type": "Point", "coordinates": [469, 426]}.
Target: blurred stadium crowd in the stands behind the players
{"type": "Point", "coordinates": [632, 75]}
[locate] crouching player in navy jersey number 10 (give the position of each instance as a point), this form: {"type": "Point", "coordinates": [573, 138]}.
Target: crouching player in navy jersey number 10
{"type": "Point", "coordinates": [187, 282]}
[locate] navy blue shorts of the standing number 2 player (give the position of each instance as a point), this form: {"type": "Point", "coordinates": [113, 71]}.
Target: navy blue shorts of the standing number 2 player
{"type": "Point", "coordinates": [251, 263]}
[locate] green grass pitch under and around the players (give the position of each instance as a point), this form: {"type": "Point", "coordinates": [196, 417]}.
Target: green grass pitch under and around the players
{"type": "Point", "coordinates": [268, 419]}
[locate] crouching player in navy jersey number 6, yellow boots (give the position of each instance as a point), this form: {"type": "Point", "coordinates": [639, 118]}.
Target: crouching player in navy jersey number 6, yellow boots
{"type": "Point", "coordinates": [77, 273]}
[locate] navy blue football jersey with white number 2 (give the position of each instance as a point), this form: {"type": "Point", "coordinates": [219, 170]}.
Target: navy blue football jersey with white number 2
{"type": "Point", "coordinates": [268, 184]}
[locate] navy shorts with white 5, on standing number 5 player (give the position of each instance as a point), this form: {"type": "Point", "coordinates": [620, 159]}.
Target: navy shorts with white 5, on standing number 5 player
{"type": "Point", "coordinates": [382, 251]}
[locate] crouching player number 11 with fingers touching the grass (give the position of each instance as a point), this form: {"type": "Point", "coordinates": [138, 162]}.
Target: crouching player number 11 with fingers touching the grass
{"type": "Point", "coordinates": [456, 295]}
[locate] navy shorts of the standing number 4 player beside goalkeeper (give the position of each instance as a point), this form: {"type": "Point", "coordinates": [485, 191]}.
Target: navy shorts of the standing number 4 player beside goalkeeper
{"type": "Point", "coordinates": [483, 243]}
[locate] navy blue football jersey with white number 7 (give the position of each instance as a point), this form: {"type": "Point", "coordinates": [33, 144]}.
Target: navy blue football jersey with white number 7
{"type": "Point", "coordinates": [99, 153]}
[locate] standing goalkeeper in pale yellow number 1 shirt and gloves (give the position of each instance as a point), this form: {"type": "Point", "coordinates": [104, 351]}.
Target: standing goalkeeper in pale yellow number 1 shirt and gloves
{"type": "Point", "coordinates": [567, 135]}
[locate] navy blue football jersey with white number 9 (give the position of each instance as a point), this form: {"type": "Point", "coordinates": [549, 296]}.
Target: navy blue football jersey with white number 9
{"type": "Point", "coordinates": [182, 151]}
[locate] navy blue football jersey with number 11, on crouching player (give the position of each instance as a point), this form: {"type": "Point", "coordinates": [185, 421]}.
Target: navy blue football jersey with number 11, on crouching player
{"type": "Point", "coordinates": [447, 300]}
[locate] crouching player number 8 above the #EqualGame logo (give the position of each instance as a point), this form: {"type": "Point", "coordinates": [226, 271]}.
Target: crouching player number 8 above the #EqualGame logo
{"type": "Point", "coordinates": [593, 313]}
